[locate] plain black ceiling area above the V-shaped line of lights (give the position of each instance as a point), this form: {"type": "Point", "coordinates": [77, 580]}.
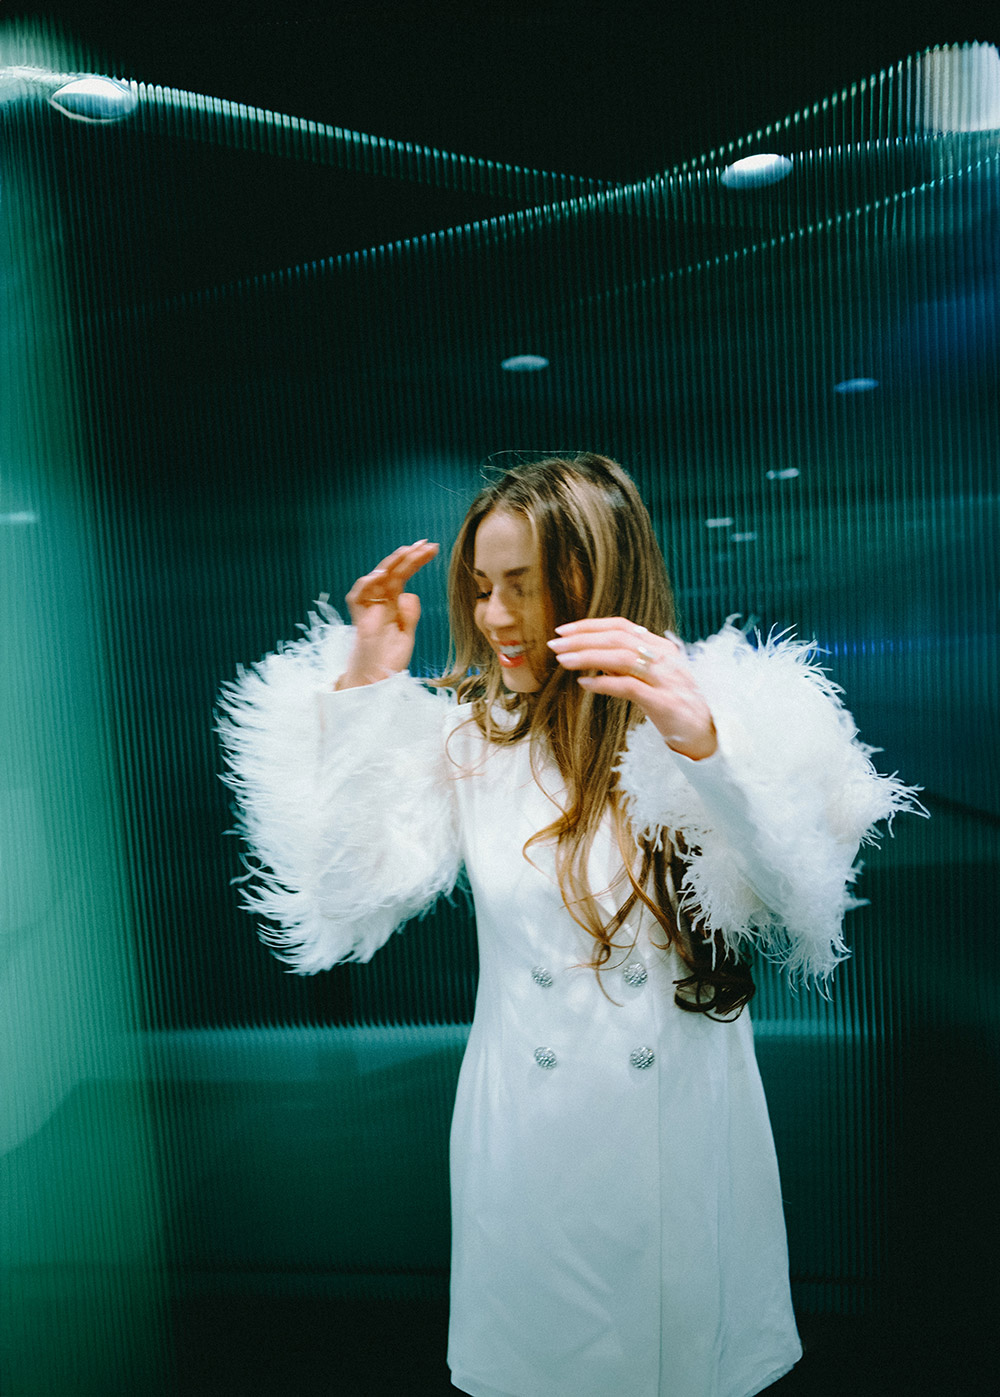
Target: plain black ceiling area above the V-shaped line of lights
{"type": "Point", "coordinates": [614, 92]}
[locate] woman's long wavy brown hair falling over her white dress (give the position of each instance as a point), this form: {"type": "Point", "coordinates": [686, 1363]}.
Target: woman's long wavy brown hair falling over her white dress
{"type": "Point", "coordinates": [600, 558]}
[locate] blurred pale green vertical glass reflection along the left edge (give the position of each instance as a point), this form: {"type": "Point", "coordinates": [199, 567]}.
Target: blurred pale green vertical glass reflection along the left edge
{"type": "Point", "coordinates": [80, 1216]}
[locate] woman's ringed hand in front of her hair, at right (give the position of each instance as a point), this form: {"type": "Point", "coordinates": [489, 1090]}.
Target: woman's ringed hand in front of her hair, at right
{"type": "Point", "coordinates": [650, 670]}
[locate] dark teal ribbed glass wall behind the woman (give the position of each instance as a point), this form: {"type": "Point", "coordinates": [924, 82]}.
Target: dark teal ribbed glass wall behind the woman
{"type": "Point", "coordinates": [234, 379]}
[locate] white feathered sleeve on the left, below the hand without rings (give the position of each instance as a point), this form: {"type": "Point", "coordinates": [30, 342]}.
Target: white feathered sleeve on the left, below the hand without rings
{"type": "Point", "coordinates": [343, 800]}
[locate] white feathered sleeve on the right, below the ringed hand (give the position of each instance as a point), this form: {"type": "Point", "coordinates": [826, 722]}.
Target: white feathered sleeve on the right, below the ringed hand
{"type": "Point", "coordinates": [776, 818]}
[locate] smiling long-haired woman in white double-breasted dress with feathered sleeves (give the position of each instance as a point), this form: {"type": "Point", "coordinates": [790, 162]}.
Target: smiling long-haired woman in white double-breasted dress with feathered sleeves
{"type": "Point", "coordinates": [633, 818]}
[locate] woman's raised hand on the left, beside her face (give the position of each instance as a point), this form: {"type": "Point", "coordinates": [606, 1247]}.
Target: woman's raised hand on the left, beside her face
{"type": "Point", "coordinates": [385, 617]}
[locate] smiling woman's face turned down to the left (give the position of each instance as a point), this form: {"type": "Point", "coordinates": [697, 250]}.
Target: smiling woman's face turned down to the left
{"type": "Point", "coordinates": [512, 606]}
